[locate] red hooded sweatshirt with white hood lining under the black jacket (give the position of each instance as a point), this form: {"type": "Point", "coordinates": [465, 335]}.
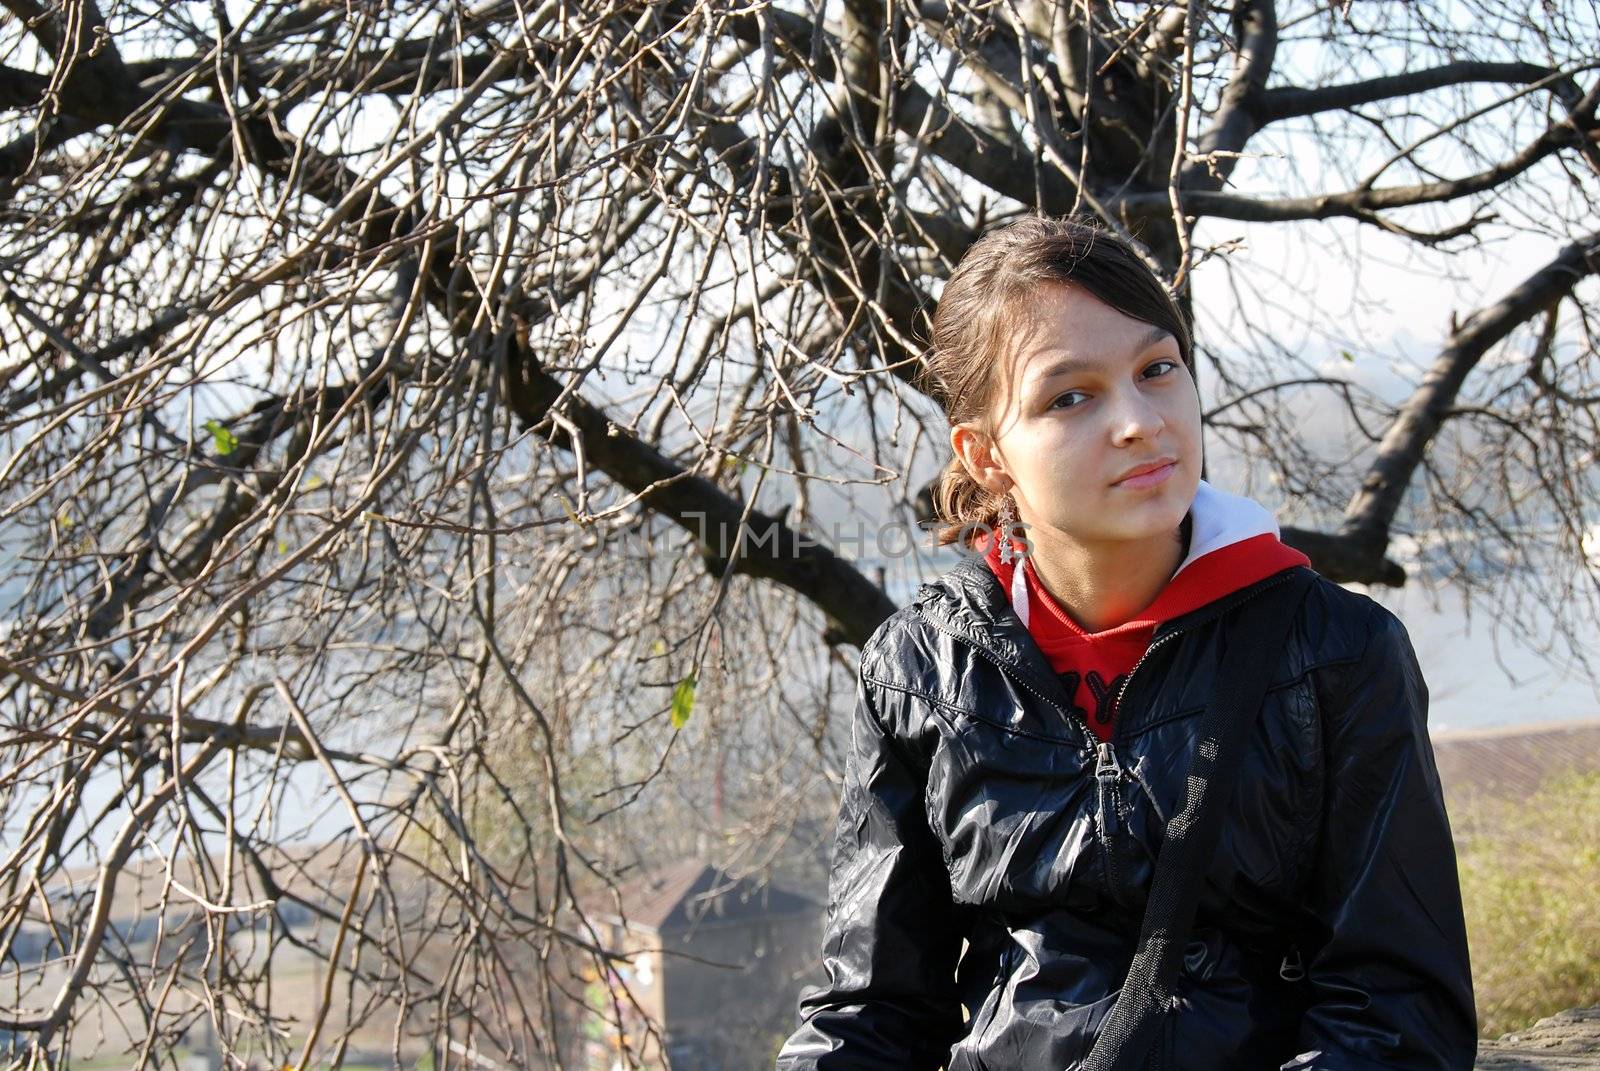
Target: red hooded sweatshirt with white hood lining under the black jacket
{"type": "Point", "coordinates": [1233, 542]}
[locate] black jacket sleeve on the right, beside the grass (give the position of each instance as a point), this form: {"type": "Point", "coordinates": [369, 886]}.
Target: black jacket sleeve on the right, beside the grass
{"type": "Point", "coordinates": [1391, 984]}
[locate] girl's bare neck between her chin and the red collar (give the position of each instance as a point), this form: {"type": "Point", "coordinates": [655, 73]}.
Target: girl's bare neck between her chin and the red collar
{"type": "Point", "coordinates": [1105, 585]}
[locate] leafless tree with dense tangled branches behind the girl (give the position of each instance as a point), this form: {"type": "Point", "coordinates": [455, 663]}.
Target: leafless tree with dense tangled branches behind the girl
{"type": "Point", "coordinates": [393, 395]}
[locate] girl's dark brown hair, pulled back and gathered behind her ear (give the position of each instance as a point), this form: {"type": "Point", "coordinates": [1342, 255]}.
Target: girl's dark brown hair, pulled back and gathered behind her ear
{"type": "Point", "coordinates": [980, 311]}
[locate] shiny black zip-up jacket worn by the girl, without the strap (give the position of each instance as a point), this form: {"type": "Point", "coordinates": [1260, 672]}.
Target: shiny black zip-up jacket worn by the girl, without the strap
{"type": "Point", "coordinates": [980, 806]}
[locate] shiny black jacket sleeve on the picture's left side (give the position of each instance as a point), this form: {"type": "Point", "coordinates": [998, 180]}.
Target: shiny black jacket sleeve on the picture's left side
{"type": "Point", "coordinates": [892, 937]}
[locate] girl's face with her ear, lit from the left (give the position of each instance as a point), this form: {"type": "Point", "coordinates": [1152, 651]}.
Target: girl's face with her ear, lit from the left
{"type": "Point", "coordinates": [1092, 395]}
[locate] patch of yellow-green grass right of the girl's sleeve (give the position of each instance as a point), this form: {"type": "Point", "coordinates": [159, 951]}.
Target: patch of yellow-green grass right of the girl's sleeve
{"type": "Point", "coordinates": [1530, 884]}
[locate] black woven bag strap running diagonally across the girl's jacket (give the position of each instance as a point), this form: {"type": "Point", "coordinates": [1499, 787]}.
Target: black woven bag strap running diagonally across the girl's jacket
{"type": "Point", "coordinates": [1254, 648]}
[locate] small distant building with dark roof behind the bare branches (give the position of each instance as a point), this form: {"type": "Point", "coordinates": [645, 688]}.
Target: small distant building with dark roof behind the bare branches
{"type": "Point", "coordinates": [716, 963]}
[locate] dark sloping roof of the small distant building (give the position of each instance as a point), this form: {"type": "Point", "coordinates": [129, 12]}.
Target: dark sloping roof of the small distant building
{"type": "Point", "coordinates": [694, 892]}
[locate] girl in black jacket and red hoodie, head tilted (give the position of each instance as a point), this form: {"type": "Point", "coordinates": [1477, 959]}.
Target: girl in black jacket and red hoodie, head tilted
{"type": "Point", "coordinates": [1023, 731]}
